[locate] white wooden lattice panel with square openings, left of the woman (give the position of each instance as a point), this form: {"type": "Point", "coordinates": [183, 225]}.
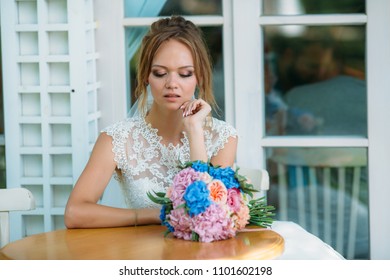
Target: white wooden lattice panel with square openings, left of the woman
{"type": "Point", "coordinates": [50, 95]}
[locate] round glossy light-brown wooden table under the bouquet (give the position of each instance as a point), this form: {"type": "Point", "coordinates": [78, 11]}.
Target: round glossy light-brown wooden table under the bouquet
{"type": "Point", "coordinates": [140, 243]}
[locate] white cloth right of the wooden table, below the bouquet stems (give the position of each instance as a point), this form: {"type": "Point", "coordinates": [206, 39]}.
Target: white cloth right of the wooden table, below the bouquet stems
{"type": "Point", "coordinates": [299, 244]}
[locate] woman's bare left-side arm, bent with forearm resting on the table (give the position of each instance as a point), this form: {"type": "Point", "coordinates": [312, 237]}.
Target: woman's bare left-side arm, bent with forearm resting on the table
{"type": "Point", "coordinates": [82, 210]}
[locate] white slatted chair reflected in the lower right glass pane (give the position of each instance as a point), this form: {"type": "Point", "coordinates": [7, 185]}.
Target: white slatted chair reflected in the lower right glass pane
{"type": "Point", "coordinates": [320, 189]}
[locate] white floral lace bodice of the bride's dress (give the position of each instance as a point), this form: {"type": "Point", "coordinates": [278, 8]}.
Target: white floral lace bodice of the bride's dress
{"type": "Point", "coordinates": [146, 164]}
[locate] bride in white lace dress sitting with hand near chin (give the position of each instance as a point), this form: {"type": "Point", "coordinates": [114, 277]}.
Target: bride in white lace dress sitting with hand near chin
{"type": "Point", "coordinates": [144, 151]}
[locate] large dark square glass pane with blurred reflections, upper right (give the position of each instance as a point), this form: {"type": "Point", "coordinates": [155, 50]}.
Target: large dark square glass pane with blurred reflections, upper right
{"type": "Point", "coordinates": [315, 80]}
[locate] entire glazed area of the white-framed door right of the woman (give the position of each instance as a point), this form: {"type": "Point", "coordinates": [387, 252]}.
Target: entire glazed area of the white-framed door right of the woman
{"type": "Point", "coordinates": [314, 84]}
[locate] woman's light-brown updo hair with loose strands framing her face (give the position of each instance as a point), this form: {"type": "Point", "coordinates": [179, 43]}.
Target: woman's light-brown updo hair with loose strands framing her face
{"type": "Point", "coordinates": [186, 32]}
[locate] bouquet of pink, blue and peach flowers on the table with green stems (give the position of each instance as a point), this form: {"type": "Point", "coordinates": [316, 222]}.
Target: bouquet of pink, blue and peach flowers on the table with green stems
{"type": "Point", "coordinates": [207, 203]}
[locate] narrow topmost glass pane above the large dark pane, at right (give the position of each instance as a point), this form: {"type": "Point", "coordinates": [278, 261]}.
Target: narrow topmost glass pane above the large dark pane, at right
{"type": "Point", "coordinates": [299, 7]}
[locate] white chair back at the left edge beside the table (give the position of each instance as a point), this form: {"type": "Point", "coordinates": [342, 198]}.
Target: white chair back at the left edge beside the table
{"type": "Point", "coordinates": [12, 199]}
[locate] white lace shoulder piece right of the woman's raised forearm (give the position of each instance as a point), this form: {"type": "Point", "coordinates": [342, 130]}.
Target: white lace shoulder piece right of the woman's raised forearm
{"type": "Point", "coordinates": [220, 133]}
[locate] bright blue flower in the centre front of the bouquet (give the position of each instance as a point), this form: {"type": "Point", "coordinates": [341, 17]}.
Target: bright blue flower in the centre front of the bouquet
{"type": "Point", "coordinates": [197, 198]}
